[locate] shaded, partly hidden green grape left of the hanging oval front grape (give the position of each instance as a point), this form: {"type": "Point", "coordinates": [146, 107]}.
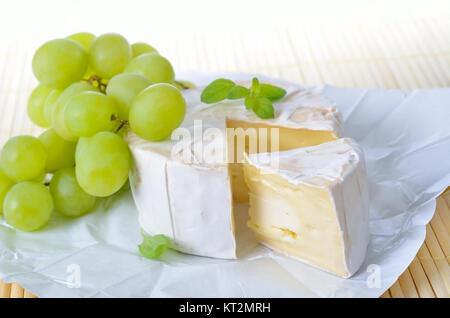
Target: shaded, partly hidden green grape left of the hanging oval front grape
{"type": "Point", "coordinates": [60, 152]}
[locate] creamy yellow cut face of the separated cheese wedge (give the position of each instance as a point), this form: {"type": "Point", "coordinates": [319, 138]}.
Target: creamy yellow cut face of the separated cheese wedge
{"type": "Point", "coordinates": [297, 220]}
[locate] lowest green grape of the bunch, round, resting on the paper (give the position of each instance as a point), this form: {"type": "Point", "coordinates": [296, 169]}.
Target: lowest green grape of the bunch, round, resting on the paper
{"type": "Point", "coordinates": [28, 206]}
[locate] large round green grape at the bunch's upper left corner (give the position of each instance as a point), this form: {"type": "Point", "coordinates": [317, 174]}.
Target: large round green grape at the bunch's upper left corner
{"type": "Point", "coordinates": [59, 63]}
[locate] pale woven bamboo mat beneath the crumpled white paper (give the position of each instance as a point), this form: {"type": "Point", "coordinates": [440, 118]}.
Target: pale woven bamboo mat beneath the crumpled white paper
{"type": "Point", "coordinates": [406, 54]}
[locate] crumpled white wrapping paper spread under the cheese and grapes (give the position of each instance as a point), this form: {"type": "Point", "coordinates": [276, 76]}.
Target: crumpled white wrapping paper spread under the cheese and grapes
{"type": "Point", "coordinates": [406, 139]}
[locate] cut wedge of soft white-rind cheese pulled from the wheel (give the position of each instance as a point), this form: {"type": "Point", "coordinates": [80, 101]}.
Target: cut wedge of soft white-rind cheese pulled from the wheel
{"type": "Point", "coordinates": [313, 206]}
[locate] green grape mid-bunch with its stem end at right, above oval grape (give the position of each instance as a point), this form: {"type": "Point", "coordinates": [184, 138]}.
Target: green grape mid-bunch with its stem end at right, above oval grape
{"type": "Point", "coordinates": [89, 113]}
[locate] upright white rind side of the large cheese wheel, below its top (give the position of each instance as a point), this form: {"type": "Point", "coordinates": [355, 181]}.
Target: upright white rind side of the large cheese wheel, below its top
{"type": "Point", "coordinates": [190, 204]}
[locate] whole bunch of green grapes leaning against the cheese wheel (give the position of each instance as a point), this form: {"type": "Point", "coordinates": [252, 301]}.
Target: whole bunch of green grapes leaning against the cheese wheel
{"type": "Point", "coordinates": [92, 90]}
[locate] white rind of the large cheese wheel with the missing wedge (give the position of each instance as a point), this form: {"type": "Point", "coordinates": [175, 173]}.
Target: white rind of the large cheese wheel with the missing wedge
{"type": "Point", "coordinates": [190, 201]}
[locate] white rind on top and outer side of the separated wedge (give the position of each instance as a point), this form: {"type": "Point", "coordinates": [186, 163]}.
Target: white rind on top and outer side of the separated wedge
{"type": "Point", "coordinates": [338, 166]}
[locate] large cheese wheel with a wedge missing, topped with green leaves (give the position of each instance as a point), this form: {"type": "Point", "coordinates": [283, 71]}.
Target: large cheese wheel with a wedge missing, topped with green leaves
{"type": "Point", "coordinates": [189, 197]}
